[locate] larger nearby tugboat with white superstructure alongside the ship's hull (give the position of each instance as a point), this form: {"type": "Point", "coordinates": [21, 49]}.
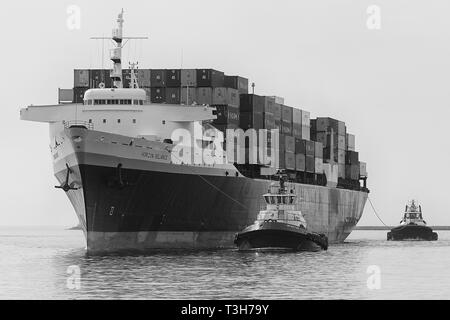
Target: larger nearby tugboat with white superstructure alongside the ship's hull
{"type": "Point", "coordinates": [280, 226]}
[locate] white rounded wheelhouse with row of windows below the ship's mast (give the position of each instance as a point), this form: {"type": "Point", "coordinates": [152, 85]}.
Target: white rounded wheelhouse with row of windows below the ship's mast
{"type": "Point", "coordinates": [122, 96]}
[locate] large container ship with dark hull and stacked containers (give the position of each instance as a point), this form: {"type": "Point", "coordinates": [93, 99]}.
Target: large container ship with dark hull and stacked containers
{"type": "Point", "coordinates": [113, 155]}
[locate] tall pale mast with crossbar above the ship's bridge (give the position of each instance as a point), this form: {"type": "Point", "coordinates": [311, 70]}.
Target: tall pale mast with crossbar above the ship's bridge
{"type": "Point", "coordinates": [116, 53]}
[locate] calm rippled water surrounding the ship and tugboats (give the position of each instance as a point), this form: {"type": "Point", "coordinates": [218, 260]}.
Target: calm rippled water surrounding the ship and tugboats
{"type": "Point", "coordinates": [34, 265]}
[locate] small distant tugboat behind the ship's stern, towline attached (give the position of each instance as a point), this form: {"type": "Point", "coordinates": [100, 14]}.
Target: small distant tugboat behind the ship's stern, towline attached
{"type": "Point", "coordinates": [412, 226]}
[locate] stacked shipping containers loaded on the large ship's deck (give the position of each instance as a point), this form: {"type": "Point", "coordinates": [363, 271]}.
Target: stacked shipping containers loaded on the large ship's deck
{"type": "Point", "coordinates": [306, 146]}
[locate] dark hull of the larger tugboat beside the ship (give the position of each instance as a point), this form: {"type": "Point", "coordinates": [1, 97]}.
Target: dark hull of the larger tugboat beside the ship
{"type": "Point", "coordinates": [278, 236]}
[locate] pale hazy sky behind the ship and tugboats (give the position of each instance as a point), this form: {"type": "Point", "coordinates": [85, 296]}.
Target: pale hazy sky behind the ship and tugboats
{"type": "Point", "coordinates": [390, 86]}
